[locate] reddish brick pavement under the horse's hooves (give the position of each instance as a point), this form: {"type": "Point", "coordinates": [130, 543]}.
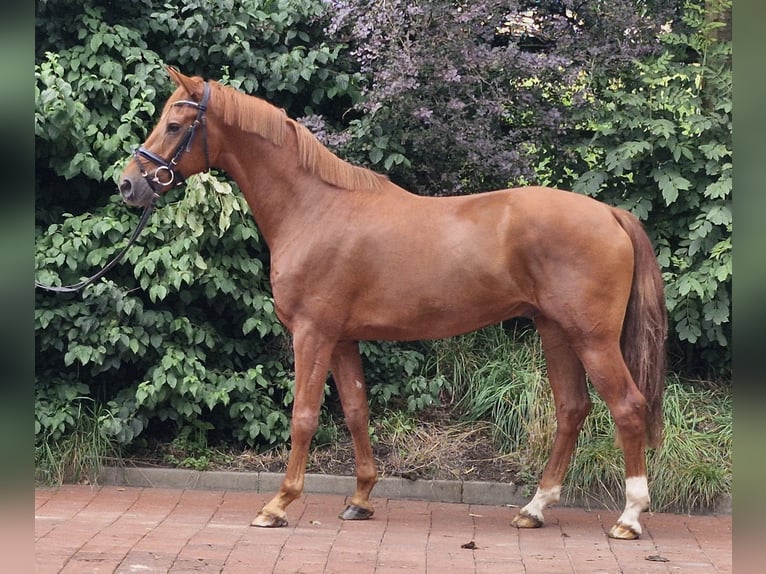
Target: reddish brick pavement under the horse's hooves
{"type": "Point", "coordinates": [127, 530]}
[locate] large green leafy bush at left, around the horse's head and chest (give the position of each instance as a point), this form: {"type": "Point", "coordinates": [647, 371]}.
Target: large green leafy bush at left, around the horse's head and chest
{"type": "Point", "coordinates": [183, 334]}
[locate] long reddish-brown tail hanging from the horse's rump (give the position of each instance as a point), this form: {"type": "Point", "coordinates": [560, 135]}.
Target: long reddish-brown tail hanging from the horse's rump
{"type": "Point", "coordinates": [645, 327]}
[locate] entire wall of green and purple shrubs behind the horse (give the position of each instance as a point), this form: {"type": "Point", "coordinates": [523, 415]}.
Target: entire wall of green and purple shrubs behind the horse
{"type": "Point", "coordinates": [182, 336]}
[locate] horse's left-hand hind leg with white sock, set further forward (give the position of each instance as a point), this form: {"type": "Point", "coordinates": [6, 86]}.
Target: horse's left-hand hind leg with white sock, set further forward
{"type": "Point", "coordinates": [570, 393]}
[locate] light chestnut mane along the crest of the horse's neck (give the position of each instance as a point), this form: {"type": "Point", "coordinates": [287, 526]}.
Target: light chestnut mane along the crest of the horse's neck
{"type": "Point", "coordinates": [254, 115]}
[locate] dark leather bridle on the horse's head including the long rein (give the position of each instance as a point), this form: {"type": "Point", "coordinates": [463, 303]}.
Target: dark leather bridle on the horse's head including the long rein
{"type": "Point", "coordinates": [173, 178]}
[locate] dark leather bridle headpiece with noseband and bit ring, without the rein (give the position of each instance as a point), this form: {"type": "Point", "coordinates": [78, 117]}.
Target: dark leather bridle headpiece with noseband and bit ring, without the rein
{"type": "Point", "coordinates": [166, 173]}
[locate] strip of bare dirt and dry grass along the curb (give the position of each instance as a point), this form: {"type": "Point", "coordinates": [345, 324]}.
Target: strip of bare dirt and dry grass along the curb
{"type": "Point", "coordinates": [433, 445]}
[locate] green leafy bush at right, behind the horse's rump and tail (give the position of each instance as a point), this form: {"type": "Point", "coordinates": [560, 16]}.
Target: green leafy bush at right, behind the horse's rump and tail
{"type": "Point", "coordinates": [660, 146]}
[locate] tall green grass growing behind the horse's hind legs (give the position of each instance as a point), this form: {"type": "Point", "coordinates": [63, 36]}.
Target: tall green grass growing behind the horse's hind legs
{"type": "Point", "coordinates": [499, 376]}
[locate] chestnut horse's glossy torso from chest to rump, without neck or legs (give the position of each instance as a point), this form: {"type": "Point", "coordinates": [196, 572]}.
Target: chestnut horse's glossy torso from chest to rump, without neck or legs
{"type": "Point", "coordinates": [411, 267]}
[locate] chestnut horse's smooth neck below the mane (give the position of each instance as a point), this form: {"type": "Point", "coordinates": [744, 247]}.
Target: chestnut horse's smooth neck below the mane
{"type": "Point", "coordinates": [280, 193]}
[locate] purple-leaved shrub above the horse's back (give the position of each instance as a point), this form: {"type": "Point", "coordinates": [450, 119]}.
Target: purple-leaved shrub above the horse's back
{"type": "Point", "coordinates": [460, 98]}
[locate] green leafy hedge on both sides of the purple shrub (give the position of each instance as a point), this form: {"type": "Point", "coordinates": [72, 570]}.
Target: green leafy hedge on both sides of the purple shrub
{"type": "Point", "coordinates": [183, 335]}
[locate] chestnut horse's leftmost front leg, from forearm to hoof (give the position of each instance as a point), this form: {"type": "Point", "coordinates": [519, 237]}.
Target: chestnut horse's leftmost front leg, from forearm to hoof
{"type": "Point", "coordinates": [312, 357]}
